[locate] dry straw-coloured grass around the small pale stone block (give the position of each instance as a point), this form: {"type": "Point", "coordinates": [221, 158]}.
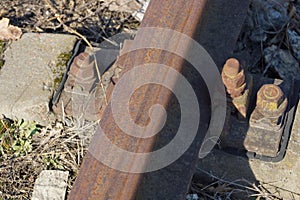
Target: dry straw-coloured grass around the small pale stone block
{"type": "Point", "coordinates": [56, 147]}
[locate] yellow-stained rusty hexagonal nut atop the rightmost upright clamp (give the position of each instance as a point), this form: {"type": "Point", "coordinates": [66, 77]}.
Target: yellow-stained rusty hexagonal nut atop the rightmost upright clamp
{"type": "Point", "coordinates": [271, 100]}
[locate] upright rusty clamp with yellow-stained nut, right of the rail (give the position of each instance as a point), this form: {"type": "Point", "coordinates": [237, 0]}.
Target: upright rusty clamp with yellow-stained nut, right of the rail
{"type": "Point", "coordinates": [267, 121]}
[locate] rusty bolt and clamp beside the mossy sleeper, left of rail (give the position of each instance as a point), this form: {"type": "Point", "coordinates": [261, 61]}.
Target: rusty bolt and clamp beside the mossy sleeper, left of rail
{"type": "Point", "coordinates": [80, 97]}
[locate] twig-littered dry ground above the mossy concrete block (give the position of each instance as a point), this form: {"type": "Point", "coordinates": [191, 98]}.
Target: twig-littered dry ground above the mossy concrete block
{"type": "Point", "coordinates": [93, 19]}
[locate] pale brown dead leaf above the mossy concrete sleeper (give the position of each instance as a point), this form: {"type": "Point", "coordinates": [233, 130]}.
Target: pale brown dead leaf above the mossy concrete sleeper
{"type": "Point", "coordinates": [9, 32]}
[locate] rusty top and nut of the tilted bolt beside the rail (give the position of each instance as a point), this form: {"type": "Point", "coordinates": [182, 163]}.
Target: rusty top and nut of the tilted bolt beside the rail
{"type": "Point", "coordinates": [233, 77]}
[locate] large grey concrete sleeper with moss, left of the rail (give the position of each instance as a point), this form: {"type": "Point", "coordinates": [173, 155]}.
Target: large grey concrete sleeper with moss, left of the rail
{"type": "Point", "coordinates": [30, 65]}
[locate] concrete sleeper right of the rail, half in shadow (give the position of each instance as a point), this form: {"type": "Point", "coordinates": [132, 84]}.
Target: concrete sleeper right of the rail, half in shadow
{"type": "Point", "coordinates": [281, 178]}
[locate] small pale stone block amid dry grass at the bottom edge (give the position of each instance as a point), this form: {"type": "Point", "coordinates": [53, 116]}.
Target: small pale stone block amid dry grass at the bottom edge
{"type": "Point", "coordinates": [51, 184]}
